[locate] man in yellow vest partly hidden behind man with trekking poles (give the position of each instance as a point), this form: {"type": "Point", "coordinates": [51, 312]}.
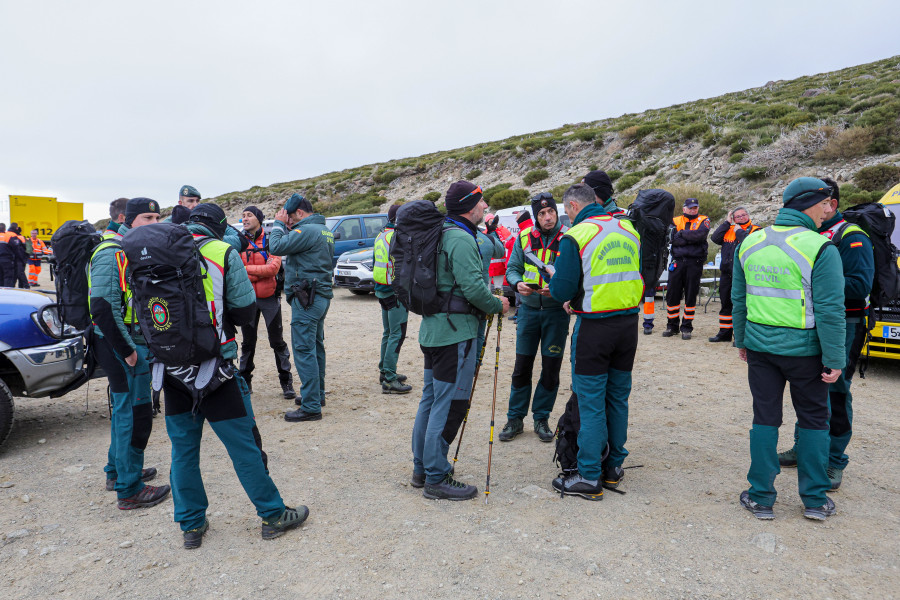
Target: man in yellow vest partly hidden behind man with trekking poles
{"type": "Point", "coordinates": [393, 314]}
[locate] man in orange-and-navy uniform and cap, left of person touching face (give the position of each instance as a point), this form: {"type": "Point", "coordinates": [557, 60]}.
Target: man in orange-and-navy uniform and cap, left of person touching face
{"type": "Point", "coordinates": [689, 248]}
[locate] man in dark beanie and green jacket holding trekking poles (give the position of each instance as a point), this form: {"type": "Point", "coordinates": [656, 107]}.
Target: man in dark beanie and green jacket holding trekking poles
{"type": "Point", "coordinates": [448, 341]}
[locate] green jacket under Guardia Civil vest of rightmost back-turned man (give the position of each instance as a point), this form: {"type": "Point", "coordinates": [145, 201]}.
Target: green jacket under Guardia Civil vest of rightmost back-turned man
{"type": "Point", "coordinates": [828, 337]}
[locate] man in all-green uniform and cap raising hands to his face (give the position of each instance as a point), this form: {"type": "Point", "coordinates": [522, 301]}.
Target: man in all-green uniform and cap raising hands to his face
{"type": "Point", "coordinates": [307, 245]}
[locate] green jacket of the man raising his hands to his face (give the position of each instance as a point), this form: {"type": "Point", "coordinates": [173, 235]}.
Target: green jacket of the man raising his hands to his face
{"type": "Point", "coordinates": [308, 249]}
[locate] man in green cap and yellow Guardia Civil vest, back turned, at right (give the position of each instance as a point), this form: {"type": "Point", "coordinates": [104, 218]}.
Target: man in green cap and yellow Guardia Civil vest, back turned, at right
{"type": "Point", "coordinates": [788, 295]}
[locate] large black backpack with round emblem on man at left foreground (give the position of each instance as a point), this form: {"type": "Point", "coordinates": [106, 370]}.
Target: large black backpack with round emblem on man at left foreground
{"type": "Point", "coordinates": [166, 273]}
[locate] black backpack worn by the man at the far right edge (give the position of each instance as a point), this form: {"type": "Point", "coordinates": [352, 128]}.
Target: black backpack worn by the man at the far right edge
{"type": "Point", "coordinates": [878, 223]}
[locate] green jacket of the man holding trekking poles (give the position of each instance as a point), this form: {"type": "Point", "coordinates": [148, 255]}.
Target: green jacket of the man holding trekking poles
{"type": "Point", "coordinates": [459, 268]}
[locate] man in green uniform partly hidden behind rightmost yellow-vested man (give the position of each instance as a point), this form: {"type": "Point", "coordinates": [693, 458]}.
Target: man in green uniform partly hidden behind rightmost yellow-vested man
{"type": "Point", "coordinates": [858, 262]}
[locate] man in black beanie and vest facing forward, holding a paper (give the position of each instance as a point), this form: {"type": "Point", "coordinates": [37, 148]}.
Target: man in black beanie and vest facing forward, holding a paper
{"type": "Point", "coordinates": [542, 321]}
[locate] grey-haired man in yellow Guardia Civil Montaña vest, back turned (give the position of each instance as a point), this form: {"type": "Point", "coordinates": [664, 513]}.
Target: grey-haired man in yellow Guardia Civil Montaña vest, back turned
{"type": "Point", "coordinates": [598, 272]}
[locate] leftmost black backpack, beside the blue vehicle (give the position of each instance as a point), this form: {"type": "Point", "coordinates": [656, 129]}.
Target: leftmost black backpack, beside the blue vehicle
{"type": "Point", "coordinates": [73, 244]}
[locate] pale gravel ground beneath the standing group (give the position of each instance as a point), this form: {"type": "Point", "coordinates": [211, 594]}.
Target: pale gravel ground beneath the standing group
{"type": "Point", "coordinates": [679, 532]}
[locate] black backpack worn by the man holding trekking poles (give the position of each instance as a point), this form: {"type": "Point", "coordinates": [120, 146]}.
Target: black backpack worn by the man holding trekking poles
{"type": "Point", "coordinates": [414, 250]}
